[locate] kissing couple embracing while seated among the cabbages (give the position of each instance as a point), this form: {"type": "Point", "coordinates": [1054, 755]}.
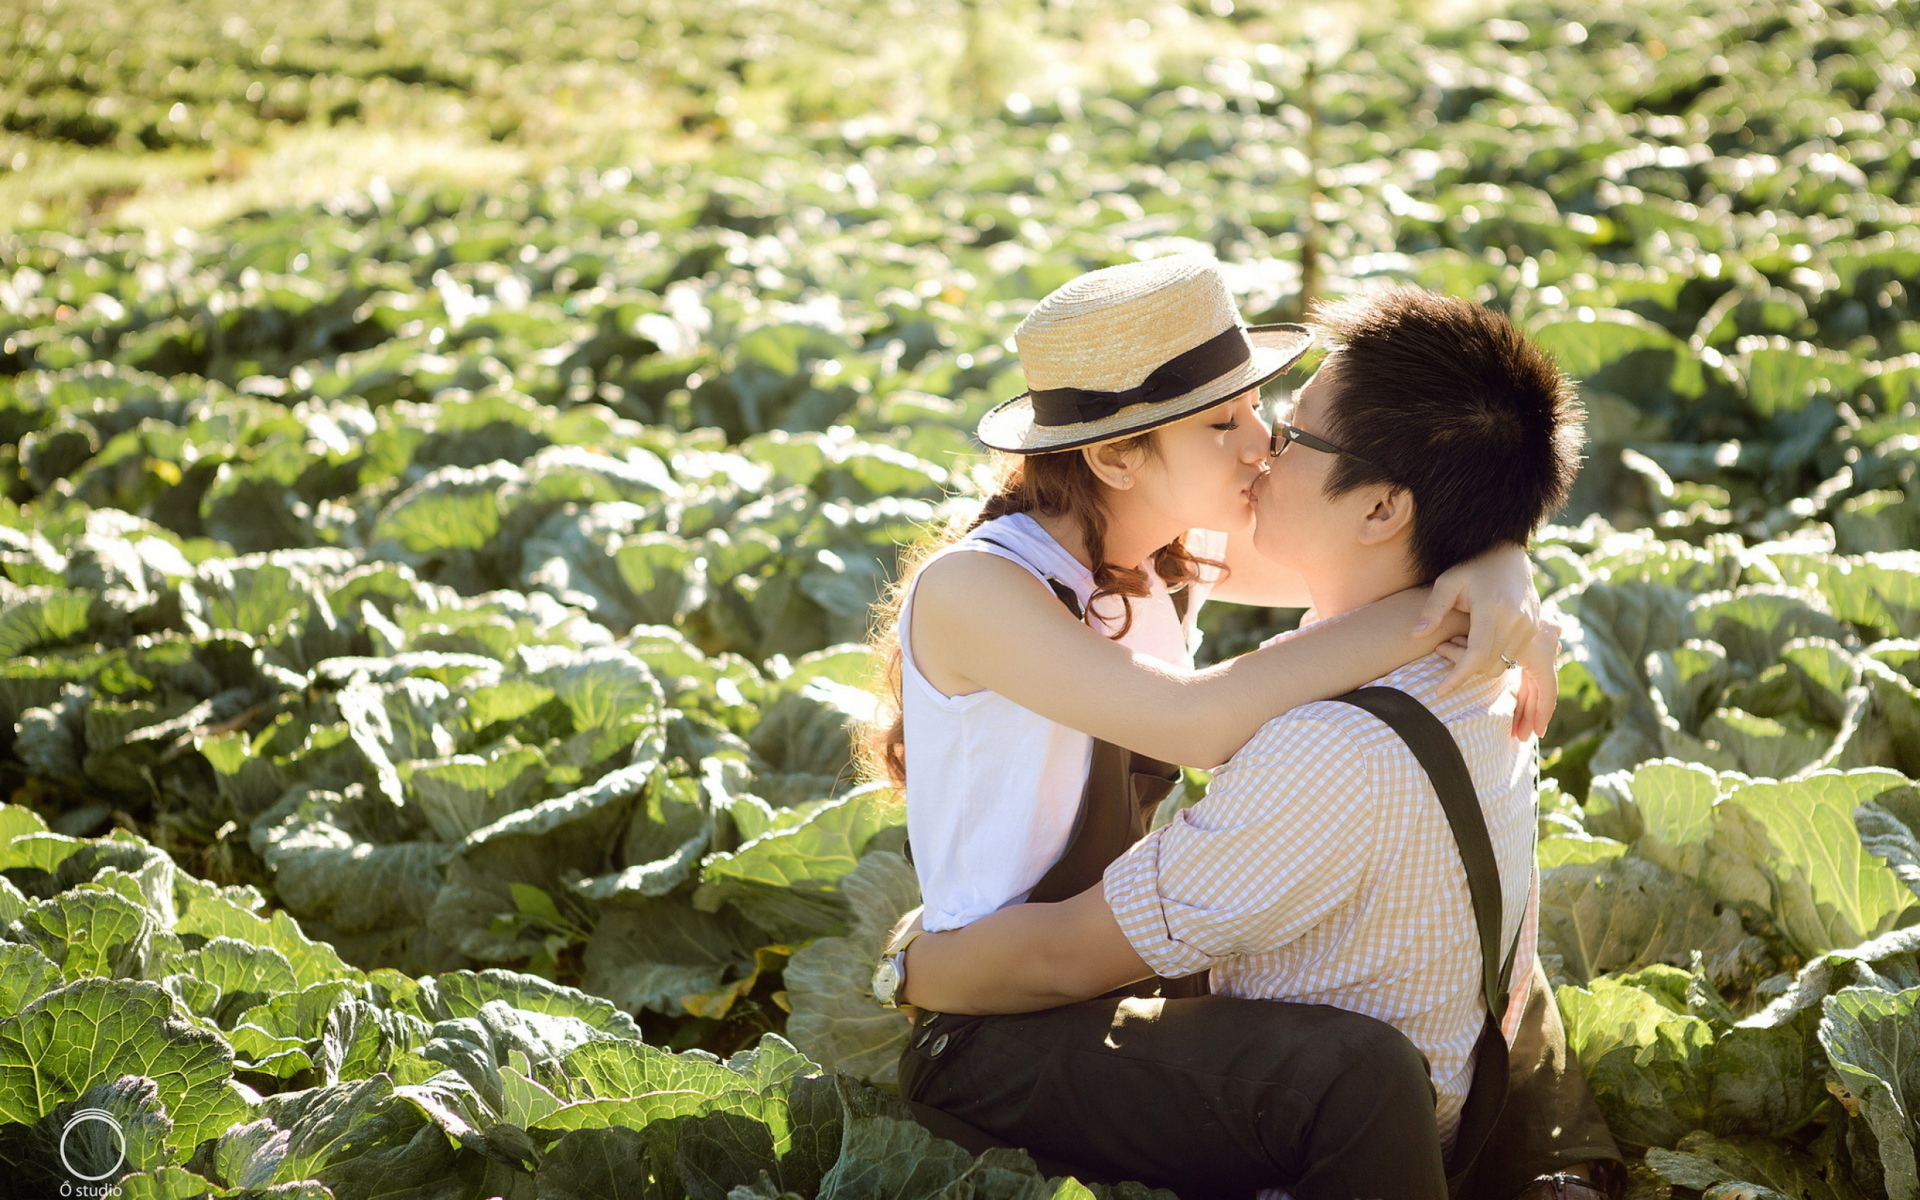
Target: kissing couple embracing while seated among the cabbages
{"type": "Point", "coordinates": [1320, 980]}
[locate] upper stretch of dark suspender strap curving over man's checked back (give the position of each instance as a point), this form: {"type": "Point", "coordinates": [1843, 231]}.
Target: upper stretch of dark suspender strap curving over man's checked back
{"type": "Point", "coordinates": [1447, 767]}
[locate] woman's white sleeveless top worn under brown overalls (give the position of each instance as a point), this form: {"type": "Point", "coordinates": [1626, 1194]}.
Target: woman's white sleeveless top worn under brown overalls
{"type": "Point", "coordinates": [994, 788]}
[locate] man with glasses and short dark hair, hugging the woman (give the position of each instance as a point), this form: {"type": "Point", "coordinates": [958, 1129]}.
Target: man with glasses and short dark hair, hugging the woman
{"type": "Point", "coordinates": [1322, 869]}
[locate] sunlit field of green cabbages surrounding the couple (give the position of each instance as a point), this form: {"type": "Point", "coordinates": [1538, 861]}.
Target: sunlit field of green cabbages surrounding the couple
{"type": "Point", "coordinates": [433, 608]}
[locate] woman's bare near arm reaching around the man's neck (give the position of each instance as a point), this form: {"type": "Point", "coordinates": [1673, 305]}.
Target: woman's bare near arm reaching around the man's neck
{"type": "Point", "coordinates": [982, 621]}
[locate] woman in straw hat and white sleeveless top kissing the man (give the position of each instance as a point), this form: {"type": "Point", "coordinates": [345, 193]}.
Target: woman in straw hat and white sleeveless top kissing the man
{"type": "Point", "coordinates": [1042, 661]}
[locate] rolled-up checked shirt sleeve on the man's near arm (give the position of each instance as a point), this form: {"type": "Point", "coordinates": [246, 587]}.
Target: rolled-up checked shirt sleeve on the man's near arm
{"type": "Point", "coordinates": [1276, 848]}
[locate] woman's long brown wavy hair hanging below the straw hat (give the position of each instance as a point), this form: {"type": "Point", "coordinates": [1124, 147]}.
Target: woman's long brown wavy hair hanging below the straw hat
{"type": "Point", "coordinates": [1053, 485]}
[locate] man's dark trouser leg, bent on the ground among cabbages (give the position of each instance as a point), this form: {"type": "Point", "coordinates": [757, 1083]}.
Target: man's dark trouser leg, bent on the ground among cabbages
{"type": "Point", "coordinates": [1212, 1097]}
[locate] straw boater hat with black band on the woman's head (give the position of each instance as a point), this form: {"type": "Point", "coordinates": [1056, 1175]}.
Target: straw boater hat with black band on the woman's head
{"type": "Point", "coordinates": [1130, 348]}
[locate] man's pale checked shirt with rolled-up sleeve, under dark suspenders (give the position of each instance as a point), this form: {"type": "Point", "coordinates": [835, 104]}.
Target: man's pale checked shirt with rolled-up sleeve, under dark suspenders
{"type": "Point", "coordinates": [1320, 869]}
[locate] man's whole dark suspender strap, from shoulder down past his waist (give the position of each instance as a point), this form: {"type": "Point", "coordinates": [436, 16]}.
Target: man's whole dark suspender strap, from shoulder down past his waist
{"type": "Point", "coordinates": [1447, 769]}
